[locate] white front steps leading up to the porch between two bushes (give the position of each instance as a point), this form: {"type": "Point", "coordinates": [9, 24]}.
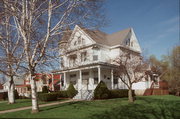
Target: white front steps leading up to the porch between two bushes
{"type": "Point", "coordinates": [84, 95]}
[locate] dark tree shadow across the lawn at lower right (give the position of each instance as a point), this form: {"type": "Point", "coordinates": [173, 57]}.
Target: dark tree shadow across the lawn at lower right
{"type": "Point", "coordinates": [149, 109]}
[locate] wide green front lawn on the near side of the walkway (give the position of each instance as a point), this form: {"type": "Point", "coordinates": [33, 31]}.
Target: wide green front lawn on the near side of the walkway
{"type": "Point", "coordinates": [149, 107]}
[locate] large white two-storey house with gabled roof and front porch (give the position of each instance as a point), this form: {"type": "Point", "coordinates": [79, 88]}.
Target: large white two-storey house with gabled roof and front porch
{"type": "Point", "coordinates": [87, 58]}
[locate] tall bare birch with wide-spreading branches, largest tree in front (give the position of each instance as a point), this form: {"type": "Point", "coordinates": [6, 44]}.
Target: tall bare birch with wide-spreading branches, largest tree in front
{"type": "Point", "coordinates": [41, 23]}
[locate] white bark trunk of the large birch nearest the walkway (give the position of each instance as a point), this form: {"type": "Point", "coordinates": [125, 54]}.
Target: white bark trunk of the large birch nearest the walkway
{"type": "Point", "coordinates": [35, 107]}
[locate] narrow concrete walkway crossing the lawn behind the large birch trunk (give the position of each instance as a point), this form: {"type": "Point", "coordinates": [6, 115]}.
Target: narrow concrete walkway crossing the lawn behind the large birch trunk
{"type": "Point", "coordinates": [42, 105]}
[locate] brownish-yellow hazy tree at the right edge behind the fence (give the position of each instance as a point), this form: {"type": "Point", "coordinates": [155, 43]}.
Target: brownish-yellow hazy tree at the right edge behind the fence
{"type": "Point", "coordinates": [168, 68]}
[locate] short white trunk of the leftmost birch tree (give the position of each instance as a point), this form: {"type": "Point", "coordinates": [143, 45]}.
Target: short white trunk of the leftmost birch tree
{"type": "Point", "coordinates": [11, 96]}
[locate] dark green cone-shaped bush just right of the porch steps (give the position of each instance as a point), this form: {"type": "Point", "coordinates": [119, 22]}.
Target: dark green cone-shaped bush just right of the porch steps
{"type": "Point", "coordinates": [101, 91]}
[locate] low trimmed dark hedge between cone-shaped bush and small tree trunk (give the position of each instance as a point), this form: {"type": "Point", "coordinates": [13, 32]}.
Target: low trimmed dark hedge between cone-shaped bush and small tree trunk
{"type": "Point", "coordinates": [120, 93]}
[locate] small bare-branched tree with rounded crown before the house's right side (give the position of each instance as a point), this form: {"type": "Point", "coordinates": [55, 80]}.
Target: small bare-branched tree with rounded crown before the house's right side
{"type": "Point", "coordinates": [131, 69]}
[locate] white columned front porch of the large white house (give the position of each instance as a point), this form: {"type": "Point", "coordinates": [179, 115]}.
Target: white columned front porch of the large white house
{"type": "Point", "coordinates": [87, 78]}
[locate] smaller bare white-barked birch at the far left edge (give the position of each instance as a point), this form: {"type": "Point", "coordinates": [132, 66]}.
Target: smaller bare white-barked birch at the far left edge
{"type": "Point", "coordinates": [11, 53]}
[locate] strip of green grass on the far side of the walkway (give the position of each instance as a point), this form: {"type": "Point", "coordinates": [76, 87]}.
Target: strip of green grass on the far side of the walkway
{"type": "Point", "coordinates": [20, 103]}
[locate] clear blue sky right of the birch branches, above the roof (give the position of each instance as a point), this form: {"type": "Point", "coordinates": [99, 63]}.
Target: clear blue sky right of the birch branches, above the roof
{"type": "Point", "coordinates": [155, 23]}
